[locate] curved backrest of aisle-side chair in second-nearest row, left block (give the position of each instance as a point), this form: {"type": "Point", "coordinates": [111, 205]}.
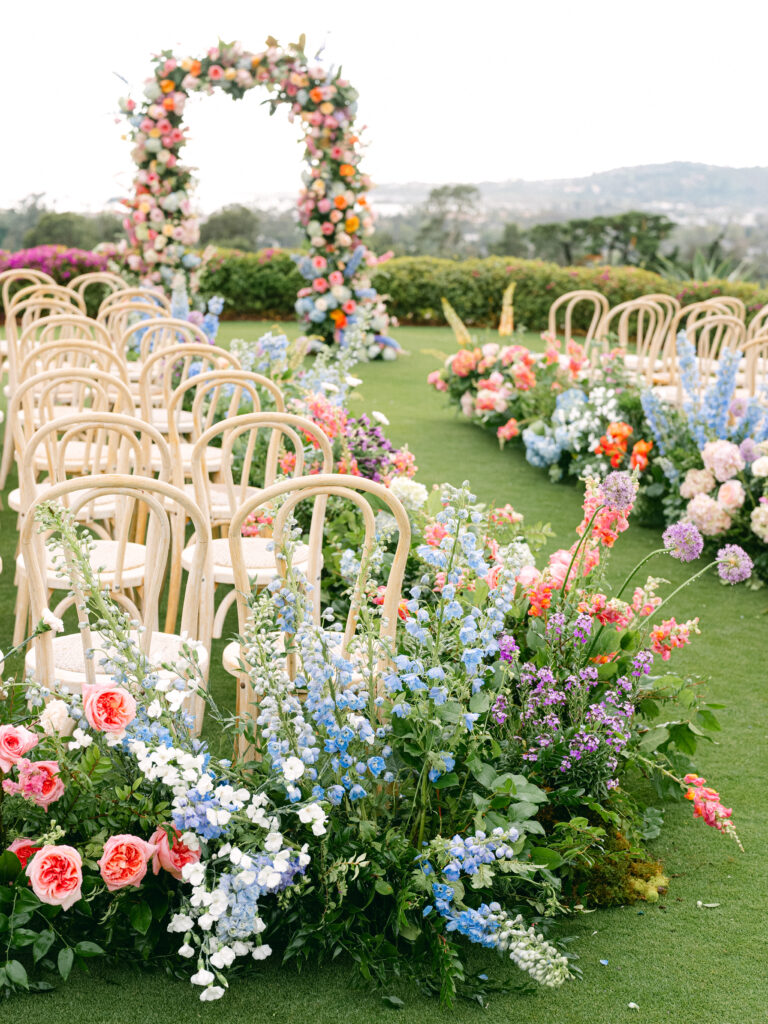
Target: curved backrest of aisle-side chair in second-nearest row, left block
{"type": "Point", "coordinates": [239, 438]}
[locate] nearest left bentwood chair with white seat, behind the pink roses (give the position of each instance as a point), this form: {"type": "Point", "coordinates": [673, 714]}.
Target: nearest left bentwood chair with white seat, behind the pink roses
{"type": "Point", "coordinates": [84, 657]}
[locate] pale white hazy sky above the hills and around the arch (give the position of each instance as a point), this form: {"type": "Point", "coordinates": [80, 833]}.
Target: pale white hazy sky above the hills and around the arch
{"type": "Point", "coordinates": [450, 92]}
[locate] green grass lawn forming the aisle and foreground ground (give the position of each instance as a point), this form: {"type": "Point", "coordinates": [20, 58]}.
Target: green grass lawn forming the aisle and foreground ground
{"type": "Point", "coordinates": [678, 963]}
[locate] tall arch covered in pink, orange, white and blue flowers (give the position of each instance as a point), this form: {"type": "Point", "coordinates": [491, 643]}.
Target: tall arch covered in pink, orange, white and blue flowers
{"type": "Point", "coordinates": [333, 208]}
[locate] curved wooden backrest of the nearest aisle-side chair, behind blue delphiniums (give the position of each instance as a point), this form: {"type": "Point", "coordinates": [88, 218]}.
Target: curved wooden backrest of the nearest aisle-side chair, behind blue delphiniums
{"type": "Point", "coordinates": [359, 491]}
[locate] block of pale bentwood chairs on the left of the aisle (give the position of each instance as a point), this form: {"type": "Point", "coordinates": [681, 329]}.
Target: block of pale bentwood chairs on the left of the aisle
{"type": "Point", "coordinates": [155, 467]}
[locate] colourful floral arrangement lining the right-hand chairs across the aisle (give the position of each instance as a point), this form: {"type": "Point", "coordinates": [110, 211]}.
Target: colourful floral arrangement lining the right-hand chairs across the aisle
{"type": "Point", "coordinates": [578, 423]}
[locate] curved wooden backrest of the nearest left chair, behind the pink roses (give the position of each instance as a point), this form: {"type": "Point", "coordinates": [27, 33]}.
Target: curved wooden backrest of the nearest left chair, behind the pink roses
{"type": "Point", "coordinates": [161, 501]}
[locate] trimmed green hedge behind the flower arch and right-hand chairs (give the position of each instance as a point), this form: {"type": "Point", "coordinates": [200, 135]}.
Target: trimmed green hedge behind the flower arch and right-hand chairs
{"type": "Point", "coordinates": [264, 285]}
